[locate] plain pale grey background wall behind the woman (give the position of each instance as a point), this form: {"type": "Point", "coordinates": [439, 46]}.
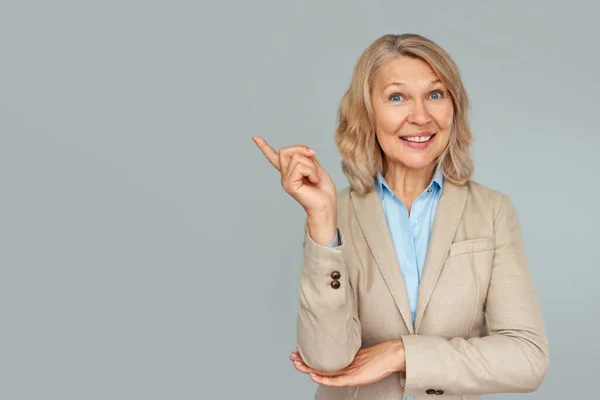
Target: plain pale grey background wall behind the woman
{"type": "Point", "coordinates": [148, 249]}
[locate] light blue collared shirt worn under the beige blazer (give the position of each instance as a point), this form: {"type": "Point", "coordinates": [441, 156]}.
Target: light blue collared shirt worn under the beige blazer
{"type": "Point", "coordinates": [410, 233]}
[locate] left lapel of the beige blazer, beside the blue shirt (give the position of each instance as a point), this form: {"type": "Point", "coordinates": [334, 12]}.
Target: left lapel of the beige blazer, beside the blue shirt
{"type": "Point", "coordinates": [371, 218]}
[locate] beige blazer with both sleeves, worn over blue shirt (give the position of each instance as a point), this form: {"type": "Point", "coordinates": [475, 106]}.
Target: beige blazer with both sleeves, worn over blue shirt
{"type": "Point", "coordinates": [478, 325]}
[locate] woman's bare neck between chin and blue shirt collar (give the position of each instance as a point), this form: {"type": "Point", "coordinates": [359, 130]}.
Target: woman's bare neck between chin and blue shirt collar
{"type": "Point", "coordinates": [408, 183]}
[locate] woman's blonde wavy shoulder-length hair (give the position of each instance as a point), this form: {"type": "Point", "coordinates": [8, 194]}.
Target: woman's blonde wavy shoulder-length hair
{"type": "Point", "coordinates": [362, 156]}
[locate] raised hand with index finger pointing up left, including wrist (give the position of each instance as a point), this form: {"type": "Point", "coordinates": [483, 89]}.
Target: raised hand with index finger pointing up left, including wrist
{"type": "Point", "coordinates": [303, 178]}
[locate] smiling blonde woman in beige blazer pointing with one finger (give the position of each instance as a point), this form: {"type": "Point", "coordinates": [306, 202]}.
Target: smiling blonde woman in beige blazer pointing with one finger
{"type": "Point", "coordinates": [415, 280]}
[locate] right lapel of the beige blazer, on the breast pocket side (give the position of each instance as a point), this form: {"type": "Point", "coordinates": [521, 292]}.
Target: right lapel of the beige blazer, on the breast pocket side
{"type": "Point", "coordinates": [448, 215]}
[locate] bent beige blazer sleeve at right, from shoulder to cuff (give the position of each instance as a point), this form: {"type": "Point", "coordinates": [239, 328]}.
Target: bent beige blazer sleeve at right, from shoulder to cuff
{"type": "Point", "coordinates": [513, 357]}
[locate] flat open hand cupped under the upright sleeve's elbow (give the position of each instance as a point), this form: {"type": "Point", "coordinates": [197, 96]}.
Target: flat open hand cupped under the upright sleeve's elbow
{"type": "Point", "coordinates": [369, 365]}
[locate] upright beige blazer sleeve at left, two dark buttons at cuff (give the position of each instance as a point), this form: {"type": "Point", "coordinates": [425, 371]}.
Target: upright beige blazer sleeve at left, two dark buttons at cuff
{"type": "Point", "coordinates": [328, 329]}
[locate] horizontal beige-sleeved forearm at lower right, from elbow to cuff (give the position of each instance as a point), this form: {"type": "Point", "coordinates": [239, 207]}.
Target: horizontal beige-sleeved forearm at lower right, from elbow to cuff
{"type": "Point", "coordinates": [510, 362]}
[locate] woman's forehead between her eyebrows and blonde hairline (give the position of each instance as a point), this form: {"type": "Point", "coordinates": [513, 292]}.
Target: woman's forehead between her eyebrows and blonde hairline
{"type": "Point", "coordinates": [406, 70]}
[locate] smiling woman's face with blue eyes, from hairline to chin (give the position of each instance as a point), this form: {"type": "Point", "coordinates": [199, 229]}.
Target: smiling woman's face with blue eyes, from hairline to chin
{"type": "Point", "coordinates": [413, 113]}
